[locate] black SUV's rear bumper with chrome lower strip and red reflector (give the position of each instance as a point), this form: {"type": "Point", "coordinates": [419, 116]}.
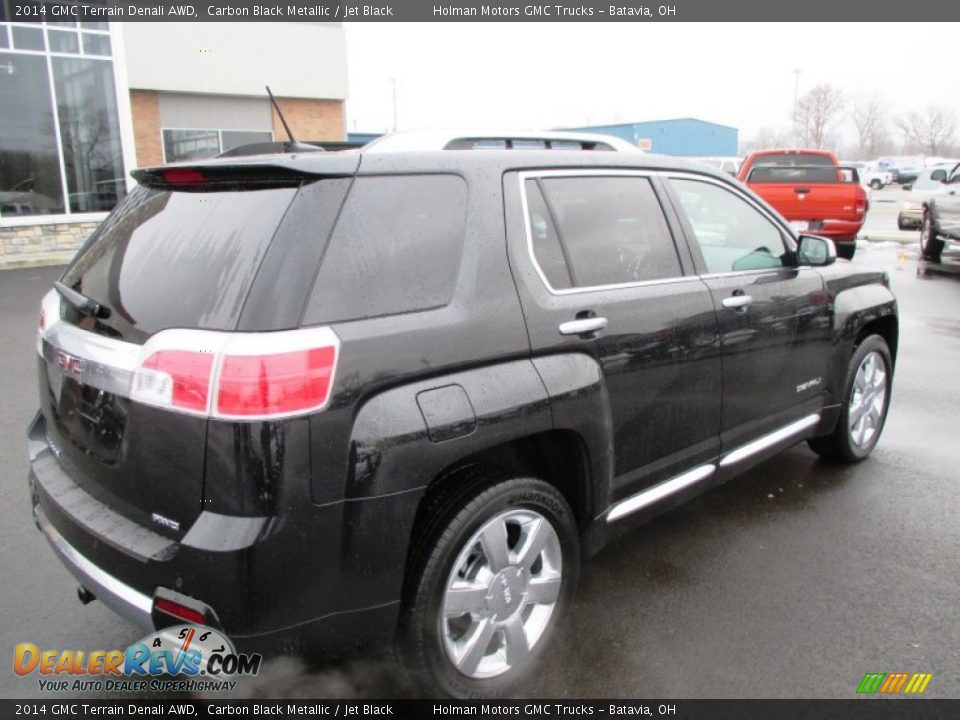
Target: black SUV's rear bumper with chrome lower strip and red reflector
{"type": "Point", "coordinates": [284, 584]}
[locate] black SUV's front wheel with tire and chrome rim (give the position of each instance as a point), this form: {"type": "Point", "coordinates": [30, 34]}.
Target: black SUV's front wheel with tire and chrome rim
{"type": "Point", "coordinates": [867, 399]}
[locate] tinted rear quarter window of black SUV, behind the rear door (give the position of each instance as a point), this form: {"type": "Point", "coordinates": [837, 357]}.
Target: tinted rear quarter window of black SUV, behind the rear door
{"type": "Point", "coordinates": [396, 248]}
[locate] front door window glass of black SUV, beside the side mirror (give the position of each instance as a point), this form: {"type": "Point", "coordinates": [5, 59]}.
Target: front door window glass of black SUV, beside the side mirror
{"type": "Point", "coordinates": [732, 234]}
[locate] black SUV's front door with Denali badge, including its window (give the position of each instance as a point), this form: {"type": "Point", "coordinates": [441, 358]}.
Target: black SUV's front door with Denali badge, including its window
{"type": "Point", "coordinates": [774, 317]}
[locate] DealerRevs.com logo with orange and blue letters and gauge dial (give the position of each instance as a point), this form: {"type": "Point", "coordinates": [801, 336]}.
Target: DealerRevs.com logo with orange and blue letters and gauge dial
{"type": "Point", "coordinates": [185, 658]}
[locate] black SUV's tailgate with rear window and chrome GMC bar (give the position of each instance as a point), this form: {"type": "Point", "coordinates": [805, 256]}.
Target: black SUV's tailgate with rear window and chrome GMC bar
{"type": "Point", "coordinates": [163, 259]}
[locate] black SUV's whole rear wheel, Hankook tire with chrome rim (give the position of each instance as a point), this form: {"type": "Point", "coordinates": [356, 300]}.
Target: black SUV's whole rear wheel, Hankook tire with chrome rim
{"type": "Point", "coordinates": [468, 625]}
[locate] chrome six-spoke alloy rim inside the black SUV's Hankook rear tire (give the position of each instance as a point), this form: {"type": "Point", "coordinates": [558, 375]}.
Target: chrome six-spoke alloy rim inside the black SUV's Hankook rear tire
{"type": "Point", "coordinates": [502, 590]}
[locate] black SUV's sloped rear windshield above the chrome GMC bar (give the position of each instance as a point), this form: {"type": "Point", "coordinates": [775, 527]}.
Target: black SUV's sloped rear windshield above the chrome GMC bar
{"type": "Point", "coordinates": [177, 259]}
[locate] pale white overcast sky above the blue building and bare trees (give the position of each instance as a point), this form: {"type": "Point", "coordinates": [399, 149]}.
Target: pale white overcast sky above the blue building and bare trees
{"type": "Point", "coordinates": [528, 75]}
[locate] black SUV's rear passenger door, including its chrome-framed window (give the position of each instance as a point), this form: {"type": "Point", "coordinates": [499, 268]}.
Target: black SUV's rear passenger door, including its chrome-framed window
{"type": "Point", "coordinates": [596, 247]}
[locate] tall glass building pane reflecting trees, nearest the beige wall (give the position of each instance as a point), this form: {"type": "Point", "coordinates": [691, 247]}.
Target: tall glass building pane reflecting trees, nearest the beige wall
{"type": "Point", "coordinates": [89, 133]}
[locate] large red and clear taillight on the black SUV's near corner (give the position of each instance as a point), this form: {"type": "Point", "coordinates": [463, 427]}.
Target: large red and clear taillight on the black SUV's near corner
{"type": "Point", "coordinates": [238, 375]}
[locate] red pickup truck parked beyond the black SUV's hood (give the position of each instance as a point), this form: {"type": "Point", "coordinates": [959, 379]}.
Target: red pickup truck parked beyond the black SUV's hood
{"type": "Point", "coordinates": [811, 190]}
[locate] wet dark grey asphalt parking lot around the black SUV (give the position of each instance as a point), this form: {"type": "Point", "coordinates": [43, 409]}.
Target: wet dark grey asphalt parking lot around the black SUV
{"type": "Point", "coordinates": [791, 581]}
